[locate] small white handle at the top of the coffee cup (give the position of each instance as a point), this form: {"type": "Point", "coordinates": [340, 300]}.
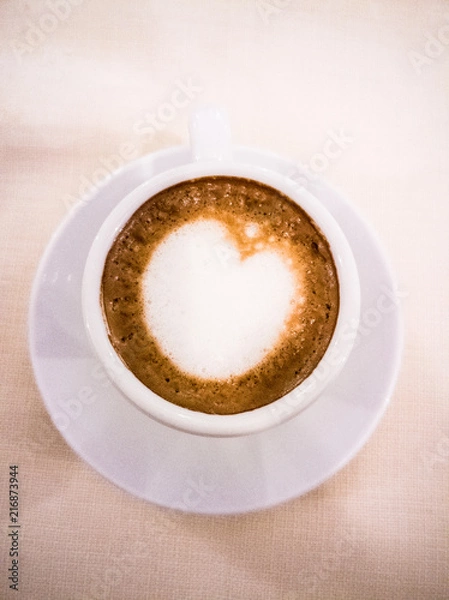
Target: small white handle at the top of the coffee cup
{"type": "Point", "coordinates": [210, 135]}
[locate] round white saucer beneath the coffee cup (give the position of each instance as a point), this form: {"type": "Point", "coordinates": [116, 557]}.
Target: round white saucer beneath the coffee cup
{"type": "Point", "coordinates": [179, 470]}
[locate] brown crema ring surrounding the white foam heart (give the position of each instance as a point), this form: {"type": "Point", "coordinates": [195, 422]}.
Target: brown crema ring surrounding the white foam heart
{"type": "Point", "coordinates": [282, 226]}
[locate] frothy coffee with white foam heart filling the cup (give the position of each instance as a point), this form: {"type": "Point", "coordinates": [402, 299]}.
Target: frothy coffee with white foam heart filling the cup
{"type": "Point", "coordinates": [220, 294]}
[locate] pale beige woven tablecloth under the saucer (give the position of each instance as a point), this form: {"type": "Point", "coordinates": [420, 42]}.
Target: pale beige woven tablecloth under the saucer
{"type": "Point", "coordinates": [87, 85]}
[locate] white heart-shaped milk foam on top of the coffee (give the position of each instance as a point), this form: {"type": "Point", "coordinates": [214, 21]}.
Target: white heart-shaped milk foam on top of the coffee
{"type": "Point", "coordinates": [214, 314]}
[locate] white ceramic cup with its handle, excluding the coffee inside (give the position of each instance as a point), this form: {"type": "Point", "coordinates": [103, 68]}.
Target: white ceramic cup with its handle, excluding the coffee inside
{"type": "Point", "coordinates": [212, 155]}
